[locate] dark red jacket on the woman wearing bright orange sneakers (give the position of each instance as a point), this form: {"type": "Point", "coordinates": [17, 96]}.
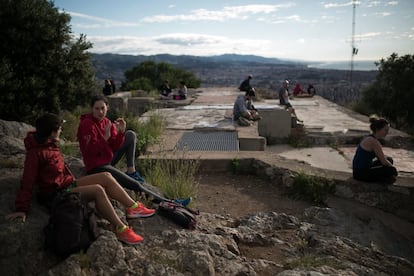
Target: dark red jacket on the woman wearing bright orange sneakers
{"type": "Point", "coordinates": [44, 166]}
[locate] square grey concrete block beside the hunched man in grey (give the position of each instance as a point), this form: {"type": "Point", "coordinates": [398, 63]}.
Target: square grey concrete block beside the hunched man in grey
{"type": "Point", "coordinates": [275, 123]}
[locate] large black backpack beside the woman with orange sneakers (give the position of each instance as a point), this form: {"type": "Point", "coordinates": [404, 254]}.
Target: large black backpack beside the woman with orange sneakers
{"type": "Point", "coordinates": [72, 225]}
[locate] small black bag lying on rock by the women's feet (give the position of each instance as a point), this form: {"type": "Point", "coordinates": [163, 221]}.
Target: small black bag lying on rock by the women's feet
{"type": "Point", "coordinates": [181, 215]}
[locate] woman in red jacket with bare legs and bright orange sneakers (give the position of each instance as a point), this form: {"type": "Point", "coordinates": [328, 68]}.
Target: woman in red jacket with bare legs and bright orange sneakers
{"type": "Point", "coordinates": [45, 167]}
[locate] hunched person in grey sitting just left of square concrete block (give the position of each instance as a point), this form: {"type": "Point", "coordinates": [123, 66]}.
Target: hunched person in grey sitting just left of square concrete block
{"type": "Point", "coordinates": [241, 112]}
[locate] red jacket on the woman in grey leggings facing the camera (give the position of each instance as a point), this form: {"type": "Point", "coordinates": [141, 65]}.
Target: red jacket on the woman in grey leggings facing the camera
{"type": "Point", "coordinates": [96, 151]}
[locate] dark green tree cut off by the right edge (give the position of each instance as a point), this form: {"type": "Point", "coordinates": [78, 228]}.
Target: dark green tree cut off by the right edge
{"type": "Point", "coordinates": [392, 94]}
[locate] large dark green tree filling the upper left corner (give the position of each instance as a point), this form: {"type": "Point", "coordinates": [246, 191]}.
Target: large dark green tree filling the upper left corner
{"type": "Point", "coordinates": [43, 68]}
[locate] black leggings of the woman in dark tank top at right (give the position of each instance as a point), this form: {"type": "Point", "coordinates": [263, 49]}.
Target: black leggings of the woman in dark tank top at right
{"type": "Point", "coordinates": [377, 172]}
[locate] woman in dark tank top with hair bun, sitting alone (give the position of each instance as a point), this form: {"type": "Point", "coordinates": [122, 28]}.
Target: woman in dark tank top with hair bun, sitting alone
{"type": "Point", "coordinates": [369, 163]}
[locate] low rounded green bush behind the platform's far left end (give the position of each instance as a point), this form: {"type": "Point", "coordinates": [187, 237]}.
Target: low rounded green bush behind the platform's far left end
{"type": "Point", "coordinates": [149, 75]}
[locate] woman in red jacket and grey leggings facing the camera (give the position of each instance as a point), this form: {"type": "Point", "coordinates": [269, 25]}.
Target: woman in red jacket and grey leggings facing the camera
{"type": "Point", "coordinates": [102, 144]}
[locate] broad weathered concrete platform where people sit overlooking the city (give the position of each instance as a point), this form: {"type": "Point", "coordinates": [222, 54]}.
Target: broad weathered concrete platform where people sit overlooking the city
{"type": "Point", "coordinates": [333, 131]}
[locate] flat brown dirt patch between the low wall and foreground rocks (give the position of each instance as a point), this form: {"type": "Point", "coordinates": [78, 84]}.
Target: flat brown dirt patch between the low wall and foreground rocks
{"type": "Point", "coordinates": [238, 195]}
